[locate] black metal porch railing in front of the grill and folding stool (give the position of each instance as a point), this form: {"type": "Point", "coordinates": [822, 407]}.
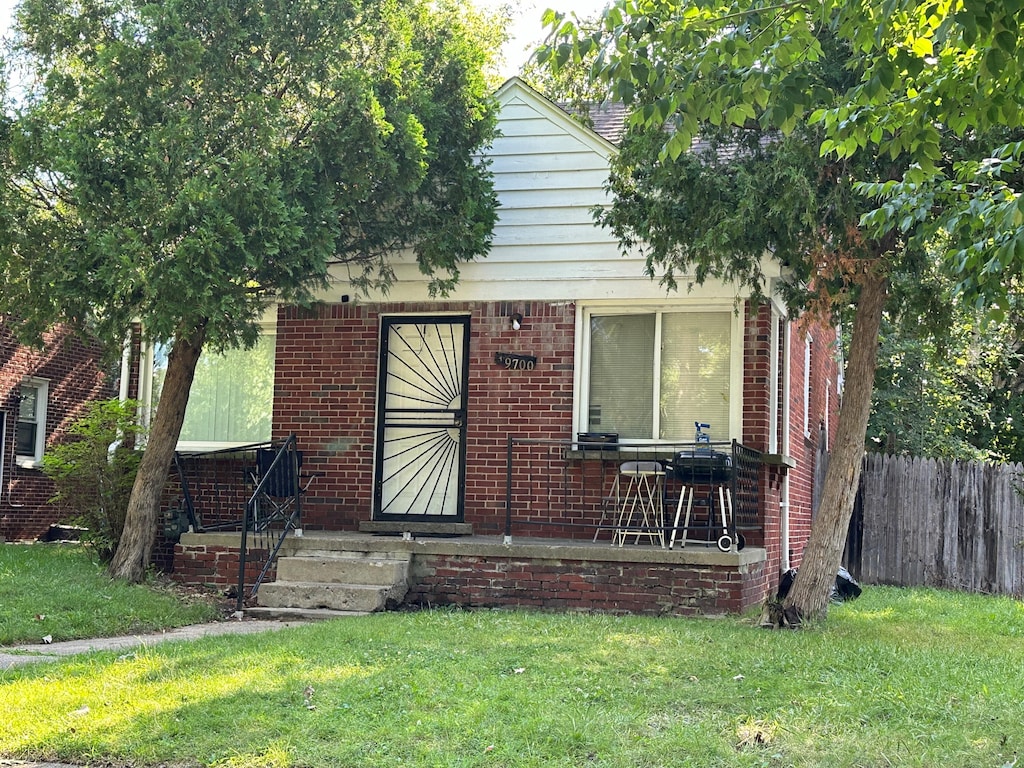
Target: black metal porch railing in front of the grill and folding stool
{"type": "Point", "coordinates": [576, 490]}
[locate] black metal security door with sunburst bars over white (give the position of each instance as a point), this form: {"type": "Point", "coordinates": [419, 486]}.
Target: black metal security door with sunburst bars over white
{"type": "Point", "coordinates": [421, 426]}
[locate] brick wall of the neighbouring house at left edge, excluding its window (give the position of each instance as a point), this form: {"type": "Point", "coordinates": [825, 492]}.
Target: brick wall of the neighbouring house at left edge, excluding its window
{"type": "Point", "coordinates": [76, 377]}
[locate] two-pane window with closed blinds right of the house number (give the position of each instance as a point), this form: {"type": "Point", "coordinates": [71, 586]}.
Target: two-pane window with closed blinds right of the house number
{"type": "Point", "coordinates": [650, 376]}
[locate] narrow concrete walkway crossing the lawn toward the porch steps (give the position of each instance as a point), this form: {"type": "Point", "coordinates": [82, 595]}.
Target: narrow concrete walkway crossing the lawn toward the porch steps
{"type": "Point", "coordinates": [18, 656]}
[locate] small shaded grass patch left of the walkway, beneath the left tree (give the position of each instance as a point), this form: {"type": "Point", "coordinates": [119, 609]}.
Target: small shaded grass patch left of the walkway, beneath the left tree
{"type": "Point", "coordinates": [63, 592]}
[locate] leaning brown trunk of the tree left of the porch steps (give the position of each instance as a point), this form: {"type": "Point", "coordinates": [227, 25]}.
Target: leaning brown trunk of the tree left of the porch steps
{"type": "Point", "coordinates": [133, 558]}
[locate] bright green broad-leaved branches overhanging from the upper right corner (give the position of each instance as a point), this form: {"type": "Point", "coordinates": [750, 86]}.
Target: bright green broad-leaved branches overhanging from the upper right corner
{"type": "Point", "coordinates": [920, 73]}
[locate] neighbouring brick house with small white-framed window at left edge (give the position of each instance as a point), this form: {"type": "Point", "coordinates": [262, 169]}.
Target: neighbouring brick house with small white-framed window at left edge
{"type": "Point", "coordinates": [41, 392]}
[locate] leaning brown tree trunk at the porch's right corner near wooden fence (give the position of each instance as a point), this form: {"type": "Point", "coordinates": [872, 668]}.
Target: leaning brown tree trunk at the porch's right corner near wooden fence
{"type": "Point", "coordinates": [812, 590]}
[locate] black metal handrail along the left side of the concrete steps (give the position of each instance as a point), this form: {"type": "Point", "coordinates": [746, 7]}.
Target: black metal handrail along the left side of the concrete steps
{"type": "Point", "coordinates": [268, 508]}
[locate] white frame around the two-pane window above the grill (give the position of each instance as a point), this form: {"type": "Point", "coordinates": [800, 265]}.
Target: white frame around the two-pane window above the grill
{"type": "Point", "coordinates": [581, 383]}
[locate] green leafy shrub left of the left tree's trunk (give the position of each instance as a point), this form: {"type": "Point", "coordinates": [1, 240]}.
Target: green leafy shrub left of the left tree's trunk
{"type": "Point", "coordinates": [95, 470]}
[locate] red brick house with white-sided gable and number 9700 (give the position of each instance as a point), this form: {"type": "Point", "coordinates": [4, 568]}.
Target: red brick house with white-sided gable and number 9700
{"type": "Point", "coordinates": [455, 422]}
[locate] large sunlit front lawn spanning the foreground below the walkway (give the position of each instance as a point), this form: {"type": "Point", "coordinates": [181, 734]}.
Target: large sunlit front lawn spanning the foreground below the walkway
{"type": "Point", "coordinates": [897, 678]}
